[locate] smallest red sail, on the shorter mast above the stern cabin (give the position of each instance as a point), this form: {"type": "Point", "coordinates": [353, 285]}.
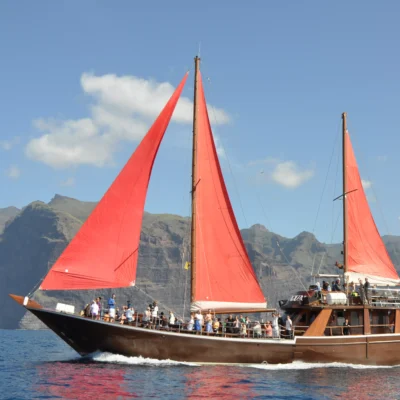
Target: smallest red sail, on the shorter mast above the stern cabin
{"type": "Point", "coordinates": [366, 252]}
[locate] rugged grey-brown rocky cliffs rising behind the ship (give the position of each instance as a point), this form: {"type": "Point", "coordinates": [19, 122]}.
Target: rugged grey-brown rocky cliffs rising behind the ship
{"type": "Point", "coordinates": [34, 238]}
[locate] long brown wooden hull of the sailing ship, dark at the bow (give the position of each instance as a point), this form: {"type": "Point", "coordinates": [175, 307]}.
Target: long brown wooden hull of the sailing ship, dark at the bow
{"type": "Point", "coordinates": [87, 336]}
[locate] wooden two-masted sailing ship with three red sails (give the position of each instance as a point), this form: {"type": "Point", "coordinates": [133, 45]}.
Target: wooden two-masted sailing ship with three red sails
{"type": "Point", "coordinates": [104, 254]}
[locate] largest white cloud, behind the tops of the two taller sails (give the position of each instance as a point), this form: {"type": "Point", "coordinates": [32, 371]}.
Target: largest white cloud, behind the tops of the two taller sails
{"type": "Point", "coordinates": [122, 109]}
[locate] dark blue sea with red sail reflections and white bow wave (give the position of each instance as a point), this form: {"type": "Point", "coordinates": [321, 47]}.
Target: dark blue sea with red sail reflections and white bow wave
{"type": "Point", "coordinates": [38, 365]}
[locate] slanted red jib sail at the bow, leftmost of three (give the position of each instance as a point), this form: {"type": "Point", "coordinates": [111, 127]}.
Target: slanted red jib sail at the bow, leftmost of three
{"type": "Point", "coordinates": [104, 252]}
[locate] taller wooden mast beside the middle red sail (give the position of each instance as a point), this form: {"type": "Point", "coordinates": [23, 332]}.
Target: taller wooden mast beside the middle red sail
{"type": "Point", "coordinates": [194, 182]}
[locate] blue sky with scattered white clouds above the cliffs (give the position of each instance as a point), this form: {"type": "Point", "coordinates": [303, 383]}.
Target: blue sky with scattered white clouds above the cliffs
{"type": "Point", "coordinates": [81, 82]}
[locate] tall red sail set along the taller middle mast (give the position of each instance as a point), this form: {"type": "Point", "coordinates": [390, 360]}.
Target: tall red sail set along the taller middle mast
{"type": "Point", "coordinates": [224, 277]}
